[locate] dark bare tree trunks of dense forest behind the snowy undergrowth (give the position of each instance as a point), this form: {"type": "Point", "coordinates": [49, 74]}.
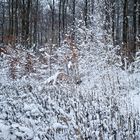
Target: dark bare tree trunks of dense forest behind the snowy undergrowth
{"type": "Point", "coordinates": [34, 22]}
